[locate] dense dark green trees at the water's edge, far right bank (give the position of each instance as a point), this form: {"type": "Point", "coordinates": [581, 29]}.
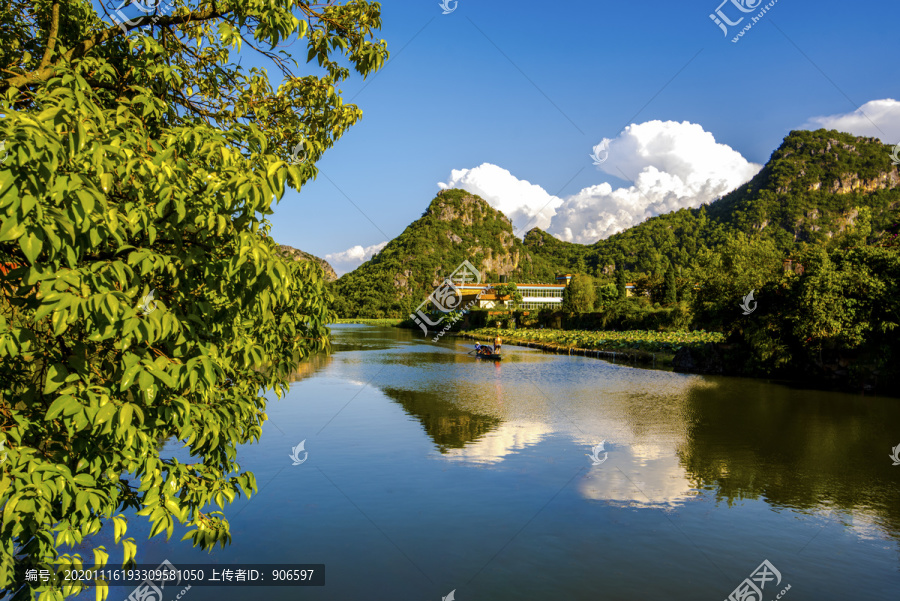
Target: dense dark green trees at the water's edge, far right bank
{"type": "Point", "coordinates": [839, 318]}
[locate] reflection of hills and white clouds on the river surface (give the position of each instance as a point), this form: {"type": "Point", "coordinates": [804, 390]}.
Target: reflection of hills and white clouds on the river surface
{"type": "Point", "coordinates": [669, 437]}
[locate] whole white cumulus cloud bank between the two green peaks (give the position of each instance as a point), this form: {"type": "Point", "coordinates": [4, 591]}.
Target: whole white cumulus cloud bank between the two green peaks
{"type": "Point", "coordinates": [673, 165]}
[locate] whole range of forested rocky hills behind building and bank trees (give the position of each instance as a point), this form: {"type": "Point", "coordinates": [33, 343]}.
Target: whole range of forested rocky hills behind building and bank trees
{"type": "Point", "coordinates": [819, 189]}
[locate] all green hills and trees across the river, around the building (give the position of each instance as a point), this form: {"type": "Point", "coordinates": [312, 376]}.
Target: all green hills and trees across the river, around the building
{"type": "Point", "coordinates": [825, 202]}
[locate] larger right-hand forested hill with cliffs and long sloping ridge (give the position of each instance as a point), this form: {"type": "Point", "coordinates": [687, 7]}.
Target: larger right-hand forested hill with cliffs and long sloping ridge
{"type": "Point", "coordinates": [817, 188]}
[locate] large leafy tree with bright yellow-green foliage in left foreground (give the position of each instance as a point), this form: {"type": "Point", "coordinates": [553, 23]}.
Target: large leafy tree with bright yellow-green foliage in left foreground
{"type": "Point", "coordinates": [141, 297]}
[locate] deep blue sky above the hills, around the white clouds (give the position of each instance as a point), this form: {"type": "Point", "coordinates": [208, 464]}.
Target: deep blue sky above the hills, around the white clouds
{"type": "Point", "coordinates": [531, 88]}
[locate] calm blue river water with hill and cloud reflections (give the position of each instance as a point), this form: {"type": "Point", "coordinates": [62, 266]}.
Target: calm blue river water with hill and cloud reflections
{"type": "Point", "coordinates": [430, 472]}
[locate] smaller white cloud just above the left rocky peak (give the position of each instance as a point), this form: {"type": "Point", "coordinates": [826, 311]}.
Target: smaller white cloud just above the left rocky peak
{"type": "Point", "coordinates": [526, 204]}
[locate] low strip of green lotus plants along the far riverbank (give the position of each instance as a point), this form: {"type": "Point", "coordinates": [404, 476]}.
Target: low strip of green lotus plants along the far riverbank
{"type": "Point", "coordinates": [652, 342]}
